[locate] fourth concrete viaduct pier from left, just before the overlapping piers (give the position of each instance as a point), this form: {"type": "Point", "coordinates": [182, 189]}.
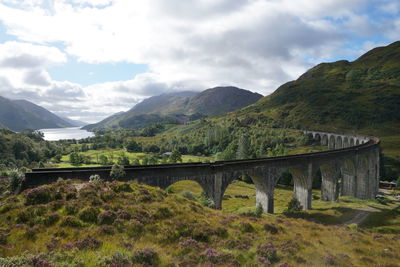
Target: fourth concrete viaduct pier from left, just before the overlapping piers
{"type": "Point", "coordinates": [330, 176]}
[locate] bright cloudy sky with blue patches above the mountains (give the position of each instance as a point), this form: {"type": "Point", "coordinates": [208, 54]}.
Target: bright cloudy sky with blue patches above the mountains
{"type": "Point", "coordinates": [88, 59]}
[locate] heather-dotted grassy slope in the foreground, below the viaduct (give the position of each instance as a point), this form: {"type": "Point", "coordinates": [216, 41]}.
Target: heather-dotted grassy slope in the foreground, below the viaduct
{"type": "Point", "coordinates": [178, 230]}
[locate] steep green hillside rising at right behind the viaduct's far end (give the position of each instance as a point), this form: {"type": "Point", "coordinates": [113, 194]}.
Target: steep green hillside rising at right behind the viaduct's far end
{"type": "Point", "coordinates": [364, 94]}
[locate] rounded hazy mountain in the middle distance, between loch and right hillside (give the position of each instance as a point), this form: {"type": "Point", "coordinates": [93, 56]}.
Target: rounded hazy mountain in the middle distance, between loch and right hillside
{"type": "Point", "coordinates": [180, 107]}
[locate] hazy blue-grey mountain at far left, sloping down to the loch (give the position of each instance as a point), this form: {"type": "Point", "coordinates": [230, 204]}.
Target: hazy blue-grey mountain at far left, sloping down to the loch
{"type": "Point", "coordinates": [18, 115]}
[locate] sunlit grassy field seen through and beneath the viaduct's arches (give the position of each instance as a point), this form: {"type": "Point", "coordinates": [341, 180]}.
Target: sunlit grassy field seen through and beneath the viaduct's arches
{"type": "Point", "coordinates": [239, 198]}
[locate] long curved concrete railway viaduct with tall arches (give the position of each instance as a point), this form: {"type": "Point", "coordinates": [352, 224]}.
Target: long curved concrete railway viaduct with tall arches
{"type": "Point", "coordinates": [352, 162]}
